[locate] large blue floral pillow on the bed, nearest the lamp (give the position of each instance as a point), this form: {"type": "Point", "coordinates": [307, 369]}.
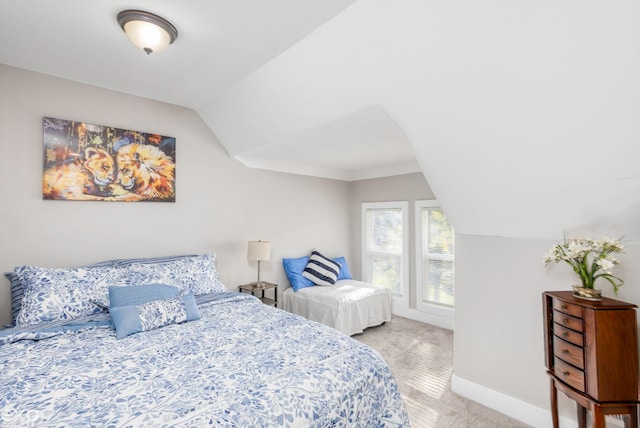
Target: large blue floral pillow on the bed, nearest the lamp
{"type": "Point", "coordinates": [196, 275]}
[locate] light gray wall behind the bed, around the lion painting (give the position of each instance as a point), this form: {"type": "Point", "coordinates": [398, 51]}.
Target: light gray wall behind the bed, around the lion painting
{"type": "Point", "coordinates": [220, 204]}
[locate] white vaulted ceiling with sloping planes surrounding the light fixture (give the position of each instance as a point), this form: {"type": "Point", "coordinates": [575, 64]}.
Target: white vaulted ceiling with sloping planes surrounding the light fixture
{"type": "Point", "coordinates": [523, 116]}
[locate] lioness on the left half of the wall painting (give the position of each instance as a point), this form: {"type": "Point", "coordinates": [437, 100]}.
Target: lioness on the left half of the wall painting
{"type": "Point", "coordinates": [80, 179]}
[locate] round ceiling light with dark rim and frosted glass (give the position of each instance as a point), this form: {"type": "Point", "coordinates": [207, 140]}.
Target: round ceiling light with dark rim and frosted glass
{"type": "Point", "coordinates": [149, 32]}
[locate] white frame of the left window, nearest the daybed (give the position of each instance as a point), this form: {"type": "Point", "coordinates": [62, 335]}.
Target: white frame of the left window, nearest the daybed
{"type": "Point", "coordinates": [398, 300]}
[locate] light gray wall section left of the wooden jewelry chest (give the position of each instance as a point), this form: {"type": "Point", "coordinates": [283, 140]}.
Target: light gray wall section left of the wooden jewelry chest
{"type": "Point", "coordinates": [499, 283]}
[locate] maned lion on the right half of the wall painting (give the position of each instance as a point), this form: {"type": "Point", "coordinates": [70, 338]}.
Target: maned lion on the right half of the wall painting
{"type": "Point", "coordinates": [145, 172]}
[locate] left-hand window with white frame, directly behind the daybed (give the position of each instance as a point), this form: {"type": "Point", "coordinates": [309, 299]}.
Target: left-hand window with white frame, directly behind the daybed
{"type": "Point", "coordinates": [385, 247]}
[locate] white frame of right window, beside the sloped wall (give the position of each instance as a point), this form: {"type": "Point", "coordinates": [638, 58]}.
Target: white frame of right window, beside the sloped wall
{"type": "Point", "coordinates": [438, 310]}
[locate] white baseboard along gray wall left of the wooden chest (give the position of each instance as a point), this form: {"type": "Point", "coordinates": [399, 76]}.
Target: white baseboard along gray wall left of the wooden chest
{"type": "Point", "coordinates": [505, 404]}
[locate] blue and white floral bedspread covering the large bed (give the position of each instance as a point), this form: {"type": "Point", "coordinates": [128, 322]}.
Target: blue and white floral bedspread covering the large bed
{"type": "Point", "coordinates": [243, 364]}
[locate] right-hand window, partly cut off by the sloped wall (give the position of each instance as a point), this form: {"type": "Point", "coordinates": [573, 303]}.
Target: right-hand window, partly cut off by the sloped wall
{"type": "Point", "coordinates": [435, 259]}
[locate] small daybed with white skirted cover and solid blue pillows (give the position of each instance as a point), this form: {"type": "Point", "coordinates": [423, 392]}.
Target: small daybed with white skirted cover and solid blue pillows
{"type": "Point", "coordinates": [347, 305]}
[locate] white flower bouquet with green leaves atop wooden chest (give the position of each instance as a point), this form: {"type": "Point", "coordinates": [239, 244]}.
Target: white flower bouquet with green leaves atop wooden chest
{"type": "Point", "coordinates": [590, 259]}
